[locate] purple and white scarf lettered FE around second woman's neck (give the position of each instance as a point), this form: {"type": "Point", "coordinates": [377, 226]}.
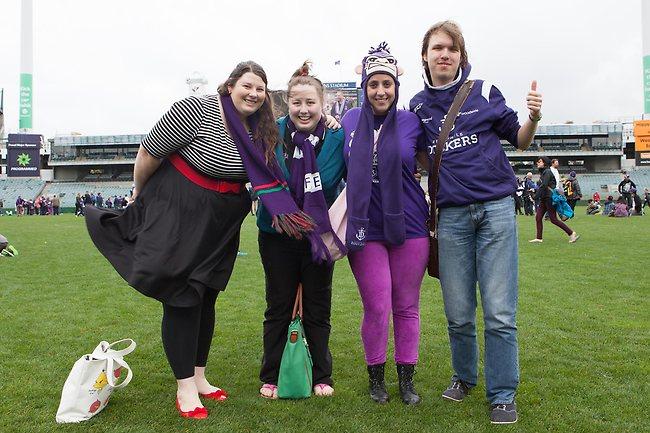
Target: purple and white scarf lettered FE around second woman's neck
{"type": "Point", "coordinates": [306, 188]}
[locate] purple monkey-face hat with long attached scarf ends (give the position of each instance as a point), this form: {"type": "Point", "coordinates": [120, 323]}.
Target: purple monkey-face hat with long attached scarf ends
{"type": "Point", "coordinates": [359, 181]}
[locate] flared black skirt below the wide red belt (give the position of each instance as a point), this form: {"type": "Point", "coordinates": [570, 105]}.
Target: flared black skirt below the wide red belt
{"type": "Point", "coordinates": [175, 241]}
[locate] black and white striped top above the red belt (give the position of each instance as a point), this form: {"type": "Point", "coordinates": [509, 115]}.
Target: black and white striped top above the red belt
{"type": "Point", "coordinates": [194, 128]}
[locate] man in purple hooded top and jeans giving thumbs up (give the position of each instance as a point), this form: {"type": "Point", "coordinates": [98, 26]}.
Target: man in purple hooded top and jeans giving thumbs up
{"type": "Point", "coordinates": [477, 230]}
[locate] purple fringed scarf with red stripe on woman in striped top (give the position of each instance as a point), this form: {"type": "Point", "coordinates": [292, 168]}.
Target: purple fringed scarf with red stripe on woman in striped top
{"type": "Point", "coordinates": [267, 179]}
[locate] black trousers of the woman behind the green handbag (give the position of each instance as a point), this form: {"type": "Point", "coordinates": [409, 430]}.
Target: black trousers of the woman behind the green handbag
{"type": "Point", "coordinates": [287, 262]}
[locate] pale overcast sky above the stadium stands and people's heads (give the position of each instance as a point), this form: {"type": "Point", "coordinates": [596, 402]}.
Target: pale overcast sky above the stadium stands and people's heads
{"type": "Point", "coordinates": [114, 67]}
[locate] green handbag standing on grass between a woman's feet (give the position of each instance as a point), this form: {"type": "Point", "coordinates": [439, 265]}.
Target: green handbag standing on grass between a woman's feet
{"type": "Point", "coordinates": [295, 379]}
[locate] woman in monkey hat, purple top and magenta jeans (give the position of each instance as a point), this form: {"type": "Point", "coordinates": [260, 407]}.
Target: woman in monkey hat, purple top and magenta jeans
{"type": "Point", "coordinates": [387, 234]}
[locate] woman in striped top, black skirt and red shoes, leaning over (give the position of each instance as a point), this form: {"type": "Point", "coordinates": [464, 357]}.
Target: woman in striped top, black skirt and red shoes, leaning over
{"type": "Point", "coordinates": [178, 240]}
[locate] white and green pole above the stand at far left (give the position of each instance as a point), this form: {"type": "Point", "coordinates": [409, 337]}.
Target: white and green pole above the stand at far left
{"type": "Point", "coordinates": [26, 67]}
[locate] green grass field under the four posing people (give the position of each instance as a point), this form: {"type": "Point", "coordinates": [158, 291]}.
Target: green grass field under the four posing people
{"type": "Point", "coordinates": [584, 322]}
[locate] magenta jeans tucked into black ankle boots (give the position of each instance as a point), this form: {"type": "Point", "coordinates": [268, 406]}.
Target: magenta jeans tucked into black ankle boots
{"type": "Point", "coordinates": [389, 279]}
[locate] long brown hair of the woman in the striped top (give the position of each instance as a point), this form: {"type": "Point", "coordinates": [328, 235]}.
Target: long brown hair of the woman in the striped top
{"type": "Point", "coordinates": [267, 129]}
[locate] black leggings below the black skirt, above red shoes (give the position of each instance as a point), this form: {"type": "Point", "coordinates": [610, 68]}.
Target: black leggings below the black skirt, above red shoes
{"type": "Point", "coordinates": [187, 334]}
